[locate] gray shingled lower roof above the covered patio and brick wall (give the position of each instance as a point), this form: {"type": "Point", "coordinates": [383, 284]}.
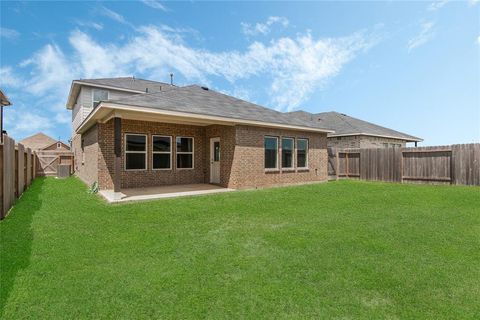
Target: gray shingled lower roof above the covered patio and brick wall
{"type": "Point", "coordinates": [197, 100]}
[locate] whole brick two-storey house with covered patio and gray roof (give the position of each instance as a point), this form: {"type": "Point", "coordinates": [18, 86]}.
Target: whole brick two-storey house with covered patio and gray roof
{"type": "Point", "coordinates": [132, 133]}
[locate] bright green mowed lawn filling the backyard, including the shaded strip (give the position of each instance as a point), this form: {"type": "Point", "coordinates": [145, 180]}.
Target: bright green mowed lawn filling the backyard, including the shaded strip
{"type": "Point", "coordinates": [349, 250]}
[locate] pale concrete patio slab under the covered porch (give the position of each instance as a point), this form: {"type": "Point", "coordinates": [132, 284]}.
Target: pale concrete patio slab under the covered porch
{"type": "Point", "coordinates": [162, 192]}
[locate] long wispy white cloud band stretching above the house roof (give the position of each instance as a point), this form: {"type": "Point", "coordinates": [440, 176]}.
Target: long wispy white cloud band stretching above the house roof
{"type": "Point", "coordinates": [290, 68]}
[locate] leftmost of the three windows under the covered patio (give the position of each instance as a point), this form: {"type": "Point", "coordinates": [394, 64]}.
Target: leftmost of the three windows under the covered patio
{"type": "Point", "coordinates": [135, 152]}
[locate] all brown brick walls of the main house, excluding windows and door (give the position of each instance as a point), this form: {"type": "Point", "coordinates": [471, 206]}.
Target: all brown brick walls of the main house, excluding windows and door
{"type": "Point", "coordinates": [241, 156]}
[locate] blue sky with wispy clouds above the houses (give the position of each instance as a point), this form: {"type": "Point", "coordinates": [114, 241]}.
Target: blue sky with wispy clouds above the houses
{"type": "Point", "coordinates": [411, 66]}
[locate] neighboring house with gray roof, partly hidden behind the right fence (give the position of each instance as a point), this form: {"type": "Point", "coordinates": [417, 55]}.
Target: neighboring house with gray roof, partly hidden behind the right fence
{"type": "Point", "coordinates": [355, 133]}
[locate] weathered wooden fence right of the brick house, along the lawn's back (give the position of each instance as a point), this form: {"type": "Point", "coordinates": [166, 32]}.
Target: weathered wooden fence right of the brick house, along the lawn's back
{"type": "Point", "coordinates": [455, 164]}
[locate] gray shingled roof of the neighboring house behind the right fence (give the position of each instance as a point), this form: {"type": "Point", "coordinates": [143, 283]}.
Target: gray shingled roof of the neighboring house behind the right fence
{"type": "Point", "coordinates": [346, 125]}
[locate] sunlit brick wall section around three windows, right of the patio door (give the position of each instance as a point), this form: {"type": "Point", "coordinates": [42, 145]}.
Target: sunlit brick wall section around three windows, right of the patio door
{"type": "Point", "coordinates": [248, 165]}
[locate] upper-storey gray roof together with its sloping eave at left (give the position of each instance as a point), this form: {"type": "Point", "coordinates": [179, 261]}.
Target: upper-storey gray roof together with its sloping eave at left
{"type": "Point", "coordinates": [130, 84]}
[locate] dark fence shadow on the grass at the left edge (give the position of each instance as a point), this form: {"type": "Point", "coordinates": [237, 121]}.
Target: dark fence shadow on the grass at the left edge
{"type": "Point", "coordinates": [16, 236]}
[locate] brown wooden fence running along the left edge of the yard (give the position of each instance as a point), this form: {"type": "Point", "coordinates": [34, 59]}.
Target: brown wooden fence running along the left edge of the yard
{"type": "Point", "coordinates": [17, 170]}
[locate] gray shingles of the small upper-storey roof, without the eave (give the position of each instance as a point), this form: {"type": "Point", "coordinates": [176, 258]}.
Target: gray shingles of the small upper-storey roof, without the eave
{"type": "Point", "coordinates": [130, 83]}
